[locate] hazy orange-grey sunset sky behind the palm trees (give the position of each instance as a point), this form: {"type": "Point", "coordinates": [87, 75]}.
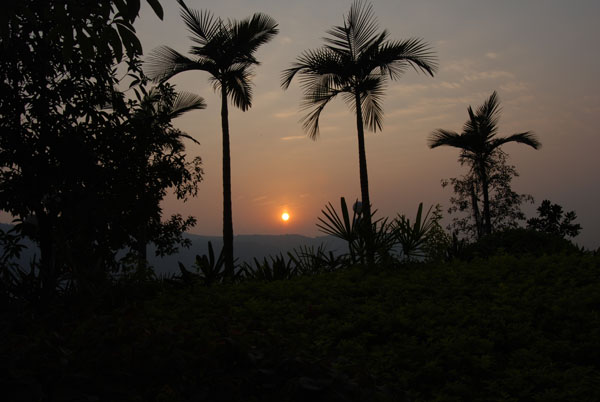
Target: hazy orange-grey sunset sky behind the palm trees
{"type": "Point", "coordinates": [541, 56]}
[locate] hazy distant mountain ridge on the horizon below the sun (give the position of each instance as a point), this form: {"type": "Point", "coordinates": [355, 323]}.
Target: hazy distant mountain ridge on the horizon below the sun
{"type": "Point", "coordinates": [246, 248]}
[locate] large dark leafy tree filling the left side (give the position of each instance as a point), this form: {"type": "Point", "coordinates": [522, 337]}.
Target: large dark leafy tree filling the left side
{"type": "Point", "coordinates": [69, 166]}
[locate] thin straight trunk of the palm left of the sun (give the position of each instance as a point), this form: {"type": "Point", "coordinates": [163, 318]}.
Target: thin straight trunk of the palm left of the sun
{"type": "Point", "coordinates": [227, 214]}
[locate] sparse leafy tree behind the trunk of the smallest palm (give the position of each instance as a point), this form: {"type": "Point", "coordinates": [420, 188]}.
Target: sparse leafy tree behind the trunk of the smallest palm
{"type": "Point", "coordinates": [504, 206]}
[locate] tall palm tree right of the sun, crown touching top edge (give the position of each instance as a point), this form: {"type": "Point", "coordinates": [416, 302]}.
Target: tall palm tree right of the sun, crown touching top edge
{"type": "Point", "coordinates": [355, 62]}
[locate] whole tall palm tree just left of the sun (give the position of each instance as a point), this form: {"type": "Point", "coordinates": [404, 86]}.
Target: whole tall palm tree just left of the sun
{"type": "Point", "coordinates": [225, 50]}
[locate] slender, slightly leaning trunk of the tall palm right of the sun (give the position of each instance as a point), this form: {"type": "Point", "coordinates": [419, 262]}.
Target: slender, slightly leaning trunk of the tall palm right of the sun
{"type": "Point", "coordinates": [364, 180]}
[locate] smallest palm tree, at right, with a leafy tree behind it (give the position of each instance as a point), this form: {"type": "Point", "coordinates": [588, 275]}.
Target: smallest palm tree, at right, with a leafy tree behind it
{"type": "Point", "coordinates": [478, 142]}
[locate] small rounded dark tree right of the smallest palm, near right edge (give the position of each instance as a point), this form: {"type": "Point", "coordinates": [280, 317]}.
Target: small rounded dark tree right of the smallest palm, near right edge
{"type": "Point", "coordinates": [551, 219]}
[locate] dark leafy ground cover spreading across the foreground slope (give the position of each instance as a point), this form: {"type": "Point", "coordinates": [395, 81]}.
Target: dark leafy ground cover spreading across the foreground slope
{"type": "Point", "coordinates": [501, 329]}
